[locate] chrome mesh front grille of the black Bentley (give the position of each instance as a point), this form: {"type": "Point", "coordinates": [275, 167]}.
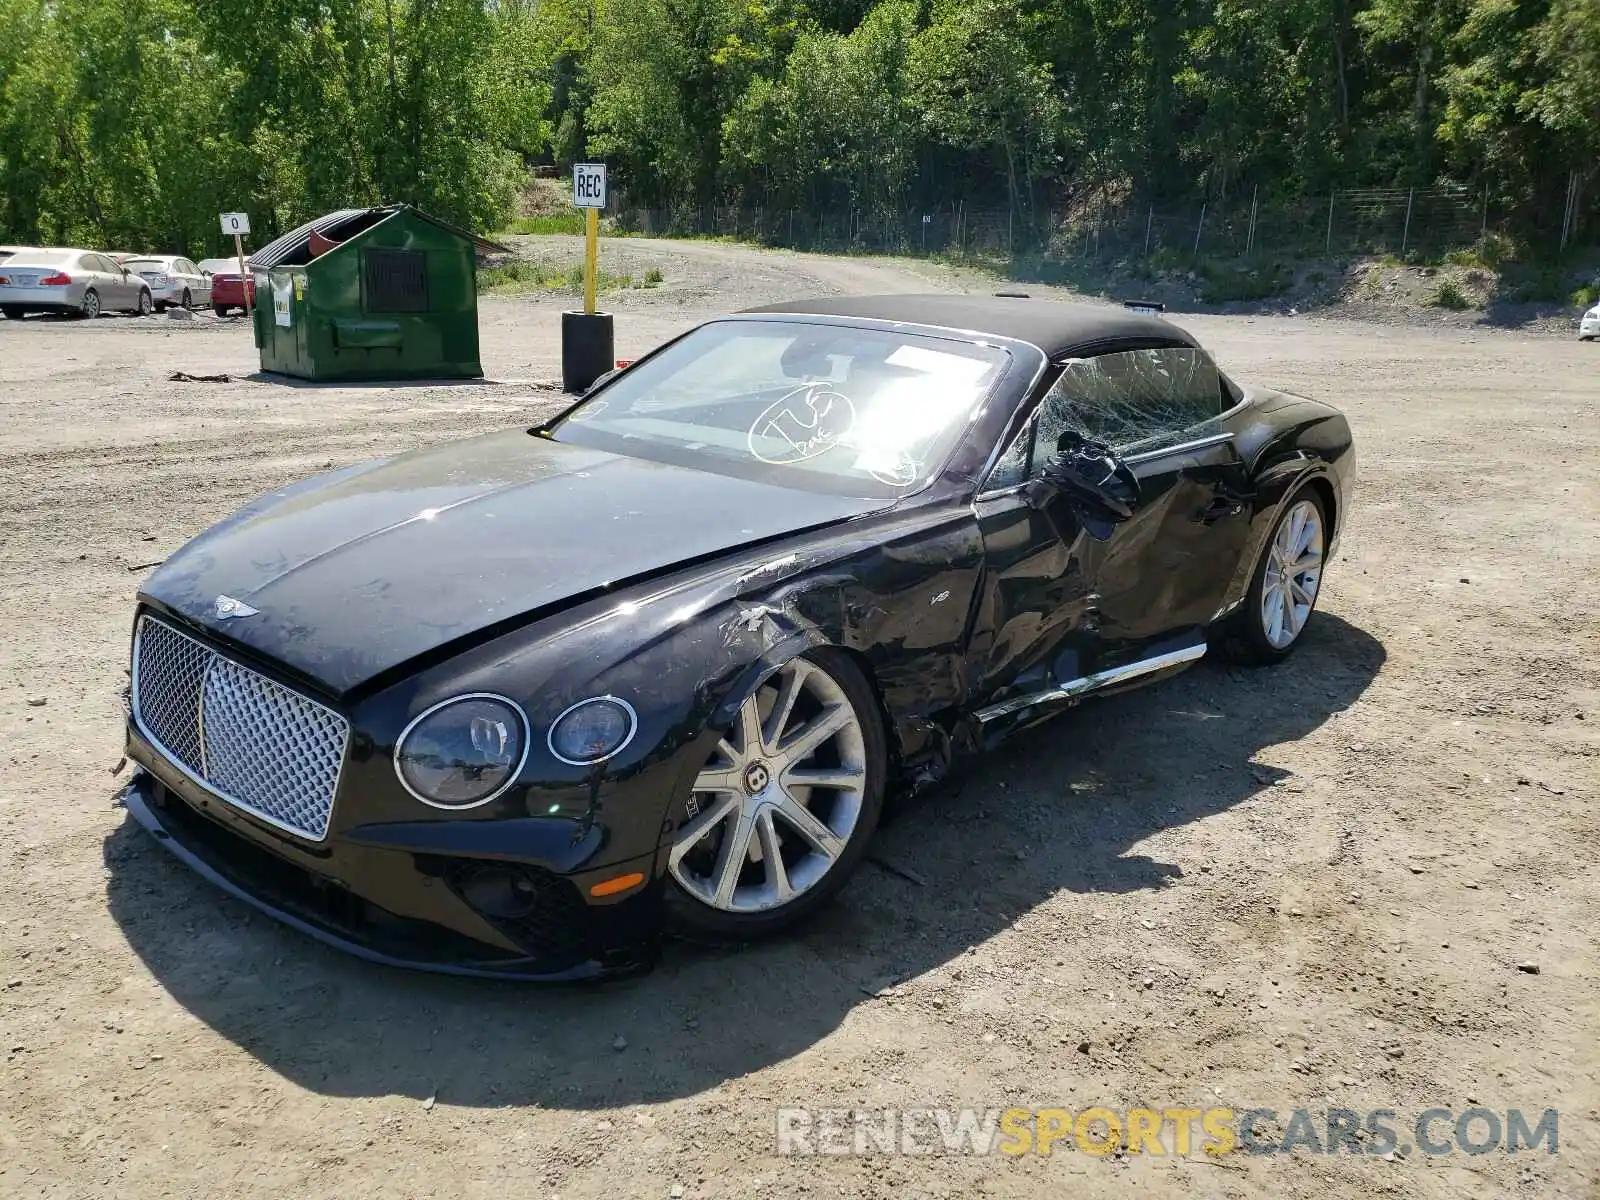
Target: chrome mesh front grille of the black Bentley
{"type": "Point", "coordinates": [254, 743]}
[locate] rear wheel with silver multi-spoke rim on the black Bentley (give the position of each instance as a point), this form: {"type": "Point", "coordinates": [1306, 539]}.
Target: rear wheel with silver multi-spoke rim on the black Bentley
{"type": "Point", "coordinates": [1287, 583]}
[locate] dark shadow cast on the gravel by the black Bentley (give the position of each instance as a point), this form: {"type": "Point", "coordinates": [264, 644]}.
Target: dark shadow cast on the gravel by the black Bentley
{"type": "Point", "coordinates": [1063, 809]}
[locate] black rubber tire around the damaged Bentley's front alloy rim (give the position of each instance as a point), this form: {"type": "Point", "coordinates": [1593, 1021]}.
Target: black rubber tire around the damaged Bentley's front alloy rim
{"type": "Point", "coordinates": [695, 921]}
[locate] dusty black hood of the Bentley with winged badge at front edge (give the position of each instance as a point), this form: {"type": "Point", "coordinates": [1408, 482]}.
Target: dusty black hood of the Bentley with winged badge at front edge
{"type": "Point", "coordinates": [367, 569]}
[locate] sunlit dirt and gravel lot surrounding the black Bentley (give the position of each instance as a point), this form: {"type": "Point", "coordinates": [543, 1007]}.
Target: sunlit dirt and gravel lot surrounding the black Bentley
{"type": "Point", "coordinates": [1314, 886]}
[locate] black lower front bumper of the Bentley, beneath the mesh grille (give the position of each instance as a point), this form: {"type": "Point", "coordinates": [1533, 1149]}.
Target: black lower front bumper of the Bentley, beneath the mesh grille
{"type": "Point", "coordinates": [407, 906]}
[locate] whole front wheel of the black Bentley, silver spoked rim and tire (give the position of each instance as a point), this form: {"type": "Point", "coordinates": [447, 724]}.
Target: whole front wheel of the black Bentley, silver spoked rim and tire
{"type": "Point", "coordinates": [785, 807]}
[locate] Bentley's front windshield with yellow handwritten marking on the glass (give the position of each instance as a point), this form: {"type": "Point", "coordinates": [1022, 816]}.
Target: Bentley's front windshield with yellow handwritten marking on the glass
{"type": "Point", "coordinates": [823, 407]}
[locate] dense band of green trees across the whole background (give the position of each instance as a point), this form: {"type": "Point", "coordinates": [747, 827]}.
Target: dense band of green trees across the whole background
{"type": "Point", "coordinates": [132, 126]}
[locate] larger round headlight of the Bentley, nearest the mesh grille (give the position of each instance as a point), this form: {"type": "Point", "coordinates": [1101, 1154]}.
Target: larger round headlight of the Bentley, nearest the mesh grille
{"type": "Point", "coordinates": [463, 753]}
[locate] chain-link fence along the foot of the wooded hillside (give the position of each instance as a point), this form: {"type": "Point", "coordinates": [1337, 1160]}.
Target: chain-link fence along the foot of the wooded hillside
{"type": "Point", "coordinates": [1358, 222]}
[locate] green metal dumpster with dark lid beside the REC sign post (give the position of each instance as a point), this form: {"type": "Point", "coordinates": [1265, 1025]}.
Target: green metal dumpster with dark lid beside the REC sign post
{"type": "Point", "coordinates": [370, 294]}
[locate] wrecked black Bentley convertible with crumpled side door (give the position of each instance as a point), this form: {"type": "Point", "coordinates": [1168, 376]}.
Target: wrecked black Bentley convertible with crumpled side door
{"type": "Point", "coordinates": [518, 705]}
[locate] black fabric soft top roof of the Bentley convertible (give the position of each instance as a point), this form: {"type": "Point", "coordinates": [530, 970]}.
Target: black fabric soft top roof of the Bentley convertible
{"type": "Point", "coordinates": [1055, 329]}
